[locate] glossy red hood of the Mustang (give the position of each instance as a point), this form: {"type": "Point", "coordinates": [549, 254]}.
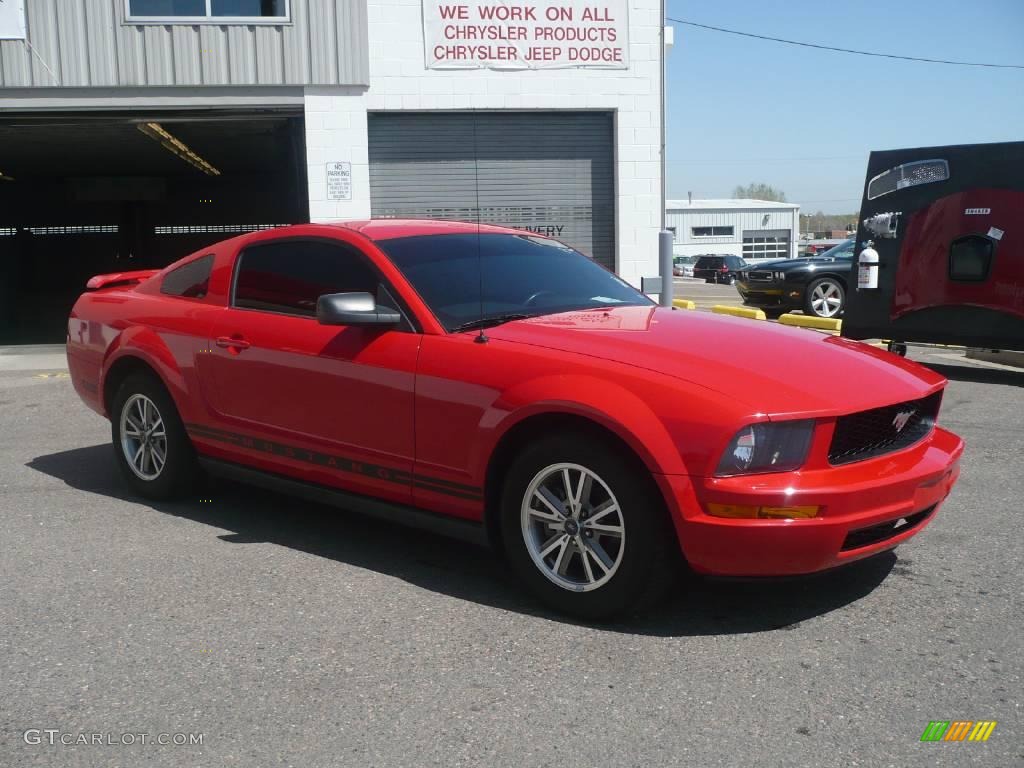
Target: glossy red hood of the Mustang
{"type": "Point", "coordinates": [775, 370]}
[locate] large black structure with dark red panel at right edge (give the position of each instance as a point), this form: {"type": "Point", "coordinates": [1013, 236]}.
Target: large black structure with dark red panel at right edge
{"type": "Point", "coordinates": [947, 224]}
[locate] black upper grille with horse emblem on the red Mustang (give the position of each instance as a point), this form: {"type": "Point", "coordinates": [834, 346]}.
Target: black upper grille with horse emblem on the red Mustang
{"type": "Point", "coordinates": [875, 433]}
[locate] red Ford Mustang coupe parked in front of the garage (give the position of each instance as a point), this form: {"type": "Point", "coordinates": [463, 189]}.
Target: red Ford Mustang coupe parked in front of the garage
{"type": "Point", "coordinates": [499, 385]}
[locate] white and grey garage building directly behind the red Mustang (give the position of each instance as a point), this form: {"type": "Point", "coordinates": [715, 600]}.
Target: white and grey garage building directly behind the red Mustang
{"type": "Point", "coordinates": [134, 135]}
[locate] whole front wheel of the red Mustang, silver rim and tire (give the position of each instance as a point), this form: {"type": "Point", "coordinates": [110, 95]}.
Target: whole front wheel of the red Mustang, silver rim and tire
{"type": "Point", "coordinates": [585, 529]}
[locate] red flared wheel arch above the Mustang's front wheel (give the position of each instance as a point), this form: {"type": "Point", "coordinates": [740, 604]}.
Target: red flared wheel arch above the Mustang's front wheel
{"type": "Point", "coordinates": [609, 404]}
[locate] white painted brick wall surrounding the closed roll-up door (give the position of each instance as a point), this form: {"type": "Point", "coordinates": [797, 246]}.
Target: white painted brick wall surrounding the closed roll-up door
{"type": "Point", "coordinates": [336, 118]}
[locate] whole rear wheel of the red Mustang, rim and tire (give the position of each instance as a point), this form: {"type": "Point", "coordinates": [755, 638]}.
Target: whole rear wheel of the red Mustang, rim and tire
{"type": "Point", "coordinates": [151, 445]}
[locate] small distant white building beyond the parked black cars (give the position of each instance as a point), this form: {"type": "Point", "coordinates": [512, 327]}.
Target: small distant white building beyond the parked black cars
{"type": "Point", "coordinates": [752, 229]}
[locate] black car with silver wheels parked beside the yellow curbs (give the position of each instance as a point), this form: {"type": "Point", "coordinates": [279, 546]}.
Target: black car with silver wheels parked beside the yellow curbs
{"type": "Point", "coordinates": [818, 285]}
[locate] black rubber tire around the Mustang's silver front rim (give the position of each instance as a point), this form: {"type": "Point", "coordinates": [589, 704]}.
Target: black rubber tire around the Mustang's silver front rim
{"type": "Point", "coordinates": [650, 550]}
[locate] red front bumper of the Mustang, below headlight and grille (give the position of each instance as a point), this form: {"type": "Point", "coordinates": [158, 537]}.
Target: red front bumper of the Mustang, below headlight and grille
{"type": "Point", "coordinates": [862, 504]}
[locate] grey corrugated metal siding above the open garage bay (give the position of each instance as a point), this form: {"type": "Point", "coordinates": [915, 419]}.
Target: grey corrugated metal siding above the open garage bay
{"type": "Point", "coordinates": [92, 44]}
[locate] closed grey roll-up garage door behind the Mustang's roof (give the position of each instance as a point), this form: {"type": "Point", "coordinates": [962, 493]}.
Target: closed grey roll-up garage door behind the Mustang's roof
{"type": "Point", "coordinates": [545, 173]}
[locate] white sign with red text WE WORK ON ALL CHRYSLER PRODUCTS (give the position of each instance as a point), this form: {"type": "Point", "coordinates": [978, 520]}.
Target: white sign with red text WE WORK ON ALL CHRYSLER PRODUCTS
{"type": "Point", "coordinates": [526, 35]}
